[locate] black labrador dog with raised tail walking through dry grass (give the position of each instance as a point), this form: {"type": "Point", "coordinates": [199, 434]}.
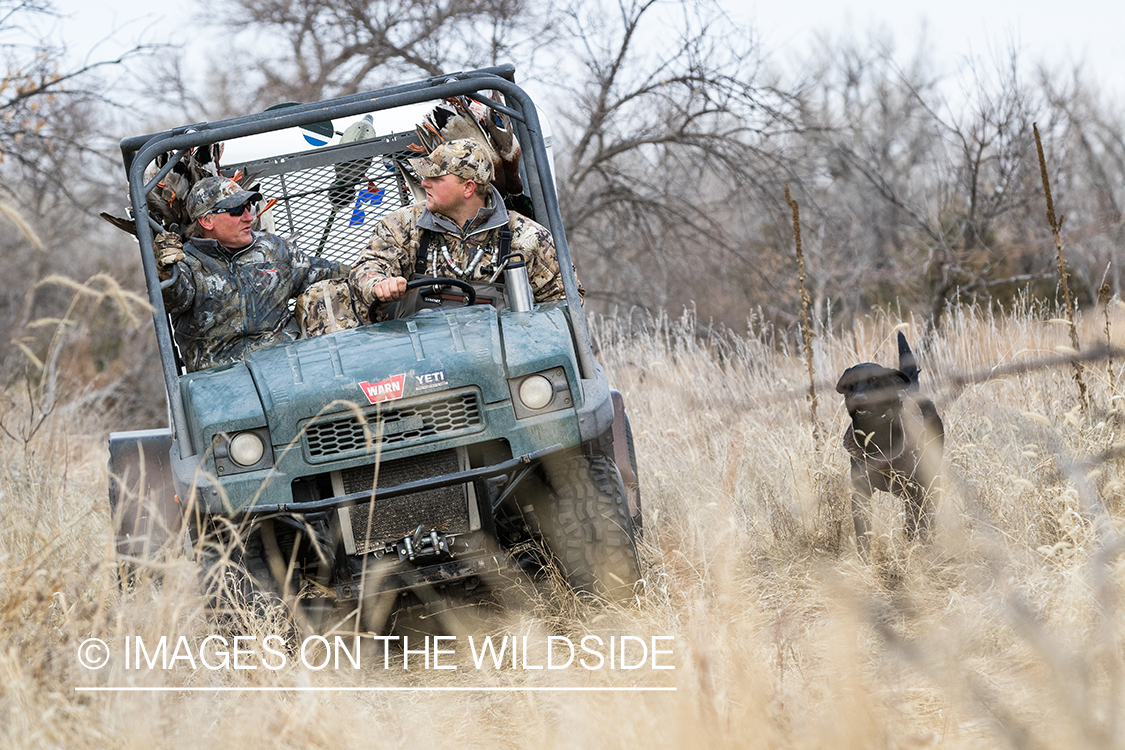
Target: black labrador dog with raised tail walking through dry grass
{"type": "Point", "coordinates": [895, 442]}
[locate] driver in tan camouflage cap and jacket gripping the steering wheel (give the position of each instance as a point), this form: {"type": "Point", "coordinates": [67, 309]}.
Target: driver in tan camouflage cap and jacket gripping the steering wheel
{"type": "Point", "coordinates": [464, 213]}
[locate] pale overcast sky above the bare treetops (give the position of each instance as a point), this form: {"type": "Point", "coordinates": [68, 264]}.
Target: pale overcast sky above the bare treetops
{"type": "Point", "coordinates": [1059, 33]}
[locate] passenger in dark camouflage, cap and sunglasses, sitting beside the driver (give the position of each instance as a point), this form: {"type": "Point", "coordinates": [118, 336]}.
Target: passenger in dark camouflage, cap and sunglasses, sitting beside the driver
{"type": "Point", "coordinates": [235, 285]}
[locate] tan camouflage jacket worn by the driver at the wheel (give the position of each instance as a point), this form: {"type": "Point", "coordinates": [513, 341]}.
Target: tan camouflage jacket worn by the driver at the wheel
{"type": "Point", "coordinates": [456, 251]}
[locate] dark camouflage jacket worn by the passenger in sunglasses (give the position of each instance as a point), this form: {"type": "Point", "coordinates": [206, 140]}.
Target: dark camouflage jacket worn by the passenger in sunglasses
{"type": "Point", "coordinates": [226, 304]}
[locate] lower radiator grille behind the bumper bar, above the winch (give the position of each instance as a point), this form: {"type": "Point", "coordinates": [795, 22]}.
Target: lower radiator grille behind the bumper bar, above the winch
{"type": "Point", "coordinates": [445, 510]}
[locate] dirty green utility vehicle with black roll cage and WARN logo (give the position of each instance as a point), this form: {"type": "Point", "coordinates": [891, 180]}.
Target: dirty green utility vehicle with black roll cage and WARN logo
{"type": "Point", "coordinates": [404, 439]}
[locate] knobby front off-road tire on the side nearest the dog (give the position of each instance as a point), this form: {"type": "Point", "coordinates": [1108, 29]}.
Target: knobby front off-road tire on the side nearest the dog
{"type": "Point", "coordinates": [587, 527]}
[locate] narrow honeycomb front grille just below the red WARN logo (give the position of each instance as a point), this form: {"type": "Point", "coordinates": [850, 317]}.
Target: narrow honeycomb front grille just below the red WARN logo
{"type": "Point", "coordinates": [443, 417]}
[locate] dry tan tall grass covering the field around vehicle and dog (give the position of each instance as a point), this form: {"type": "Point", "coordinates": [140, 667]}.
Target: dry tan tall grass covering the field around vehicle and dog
{"type": "Point", "coordinates": [1005, 632]}
